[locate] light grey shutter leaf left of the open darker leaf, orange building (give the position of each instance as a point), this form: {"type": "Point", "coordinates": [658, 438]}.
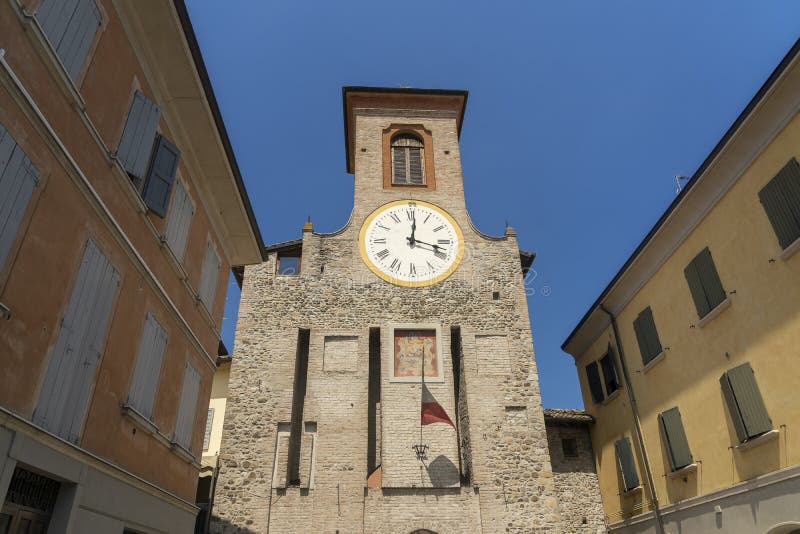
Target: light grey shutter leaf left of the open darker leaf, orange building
{"type": "Point", "coordinates": [136, 143]}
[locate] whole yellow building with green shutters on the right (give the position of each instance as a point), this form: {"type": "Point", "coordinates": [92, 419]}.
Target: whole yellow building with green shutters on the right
{"type": "Point", "coordinates": [688, 359]}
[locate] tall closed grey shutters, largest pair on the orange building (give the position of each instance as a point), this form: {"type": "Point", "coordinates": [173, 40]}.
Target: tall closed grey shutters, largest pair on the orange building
{"type": "Point", "coordinates": [65, 391]}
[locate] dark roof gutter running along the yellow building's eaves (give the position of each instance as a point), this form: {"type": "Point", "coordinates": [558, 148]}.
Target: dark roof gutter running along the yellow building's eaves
{"type": "Point", "coordinates": [754, 102]}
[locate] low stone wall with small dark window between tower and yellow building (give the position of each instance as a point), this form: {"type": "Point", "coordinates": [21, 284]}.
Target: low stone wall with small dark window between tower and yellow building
{"type": "Point", "coordinates": [576, 480]}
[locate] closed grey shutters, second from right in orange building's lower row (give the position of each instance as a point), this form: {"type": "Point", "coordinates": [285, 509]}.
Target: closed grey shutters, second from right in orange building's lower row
{"type": "Point", "coordinates": [148, 367]}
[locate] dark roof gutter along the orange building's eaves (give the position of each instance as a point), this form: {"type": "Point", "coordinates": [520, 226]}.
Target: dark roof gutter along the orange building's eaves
{"type": "Point", "coordinates": [197, 56]}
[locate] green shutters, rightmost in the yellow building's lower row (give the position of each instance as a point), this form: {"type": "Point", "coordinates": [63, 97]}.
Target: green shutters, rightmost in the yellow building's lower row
{"type": "Point", "coordinates": [745, 404]}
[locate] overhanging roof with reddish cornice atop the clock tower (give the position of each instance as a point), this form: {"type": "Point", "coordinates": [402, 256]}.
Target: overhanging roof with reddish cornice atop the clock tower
{"type": "Point", "coordinates": [396, 98]}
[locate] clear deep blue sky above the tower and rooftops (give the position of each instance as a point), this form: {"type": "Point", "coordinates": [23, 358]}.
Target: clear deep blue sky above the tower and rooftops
{"type": "Point", "coordinates": [579, 116]}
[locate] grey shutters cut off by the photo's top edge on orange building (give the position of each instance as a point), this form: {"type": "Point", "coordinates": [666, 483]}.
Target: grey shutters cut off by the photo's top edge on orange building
{"type": "Point", "coordinates": [70, 26]}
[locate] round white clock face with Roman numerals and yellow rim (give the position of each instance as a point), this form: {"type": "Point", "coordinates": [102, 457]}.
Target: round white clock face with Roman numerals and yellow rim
{"type": "Point", "coordinates": [411, 243]}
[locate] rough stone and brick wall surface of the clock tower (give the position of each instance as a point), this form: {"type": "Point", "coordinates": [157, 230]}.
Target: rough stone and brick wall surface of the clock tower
{"type": "Point", "coordinates": [339, 299]}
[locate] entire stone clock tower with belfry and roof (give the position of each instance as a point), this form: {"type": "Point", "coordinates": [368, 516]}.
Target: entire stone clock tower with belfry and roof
{"type": "Point", "coordinates": [337, 331]}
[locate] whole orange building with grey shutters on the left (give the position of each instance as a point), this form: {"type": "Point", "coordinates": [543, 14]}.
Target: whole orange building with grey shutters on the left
{"type": "Point", "coordinates": [122, 211]}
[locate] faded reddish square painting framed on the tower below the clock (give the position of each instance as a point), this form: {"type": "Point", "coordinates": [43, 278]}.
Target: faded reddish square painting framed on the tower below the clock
{"type": "Point", "coordinates": [409, 346]}
